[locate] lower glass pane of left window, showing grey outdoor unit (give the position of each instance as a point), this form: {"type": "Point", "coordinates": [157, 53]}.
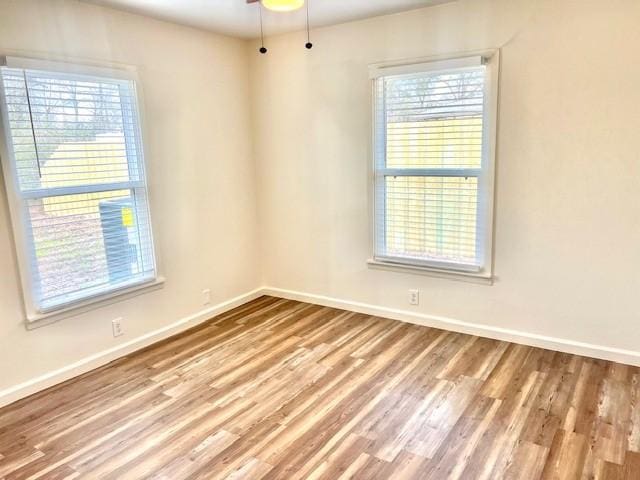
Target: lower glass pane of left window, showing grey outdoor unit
{"type": "Point", "coordinates": [87, 243]}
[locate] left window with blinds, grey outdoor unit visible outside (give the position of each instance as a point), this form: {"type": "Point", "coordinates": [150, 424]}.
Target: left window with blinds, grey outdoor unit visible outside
{"type": "Point", "coordinates": [74, 170]}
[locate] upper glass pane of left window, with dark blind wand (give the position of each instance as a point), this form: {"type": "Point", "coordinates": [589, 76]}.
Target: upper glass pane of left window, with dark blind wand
{"type": "Point", "coordinates": [69, 132]}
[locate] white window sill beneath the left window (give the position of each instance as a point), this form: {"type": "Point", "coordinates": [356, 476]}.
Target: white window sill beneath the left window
{"type": "Point", "coordinates": [36, 320]}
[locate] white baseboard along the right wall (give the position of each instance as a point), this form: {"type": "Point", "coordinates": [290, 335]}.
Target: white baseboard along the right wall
{"type": "Point", "coordinates": [628, 357]}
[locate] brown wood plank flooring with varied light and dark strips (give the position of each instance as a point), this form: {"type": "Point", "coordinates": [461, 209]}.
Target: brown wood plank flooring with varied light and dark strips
{"type": "Point", "coordinates": [278, 389]}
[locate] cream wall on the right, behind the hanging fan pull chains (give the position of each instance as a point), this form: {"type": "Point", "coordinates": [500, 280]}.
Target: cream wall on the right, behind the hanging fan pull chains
{"type": "Point", "coordinates": [567, 242]}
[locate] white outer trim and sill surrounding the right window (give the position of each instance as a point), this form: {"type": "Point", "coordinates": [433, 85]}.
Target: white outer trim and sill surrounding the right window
{"type": "Point", "coordinates": [491, 59]}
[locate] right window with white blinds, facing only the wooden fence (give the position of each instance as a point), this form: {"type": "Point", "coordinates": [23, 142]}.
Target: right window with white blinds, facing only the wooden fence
{"type": "Point", "coordinates": [433, 128]}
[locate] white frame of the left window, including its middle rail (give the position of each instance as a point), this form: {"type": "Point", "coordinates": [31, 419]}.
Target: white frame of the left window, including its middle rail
{"type": "Point", "coordinates": [17, 199]}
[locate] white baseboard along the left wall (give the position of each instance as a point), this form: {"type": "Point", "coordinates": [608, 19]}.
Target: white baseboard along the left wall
{"type": "Point", "coordinates": [87, 364]}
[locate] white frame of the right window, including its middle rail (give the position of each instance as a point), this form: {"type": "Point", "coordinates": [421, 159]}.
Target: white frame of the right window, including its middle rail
{"type": "Point", "coordinates": [485, 175]}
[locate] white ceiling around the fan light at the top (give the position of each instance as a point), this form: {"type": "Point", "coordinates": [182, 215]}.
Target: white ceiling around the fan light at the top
{"type": "Point", "coordinates": [236, 18]}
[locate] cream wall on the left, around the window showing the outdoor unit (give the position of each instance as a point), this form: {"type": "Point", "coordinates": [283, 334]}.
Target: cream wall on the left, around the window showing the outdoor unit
{"type": "Point", "coordinates": [200, 166]}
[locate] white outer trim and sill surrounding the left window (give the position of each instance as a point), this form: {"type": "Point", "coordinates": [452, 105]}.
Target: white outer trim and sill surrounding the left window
{"type": "Point", "coordinates": [33, 316]}
